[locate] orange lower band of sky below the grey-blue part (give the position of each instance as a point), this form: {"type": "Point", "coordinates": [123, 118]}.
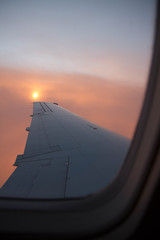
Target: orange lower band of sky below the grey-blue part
{"type": "Point", "coordinates": [113, 106]}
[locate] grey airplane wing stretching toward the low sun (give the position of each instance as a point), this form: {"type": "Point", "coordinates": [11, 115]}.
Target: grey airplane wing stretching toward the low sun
{"type": "Point", "coordinates": [65, 156]}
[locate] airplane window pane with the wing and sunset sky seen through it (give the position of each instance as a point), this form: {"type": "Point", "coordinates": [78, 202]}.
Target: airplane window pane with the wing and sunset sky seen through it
{"type": "Point", "coordinates": [79, 62]}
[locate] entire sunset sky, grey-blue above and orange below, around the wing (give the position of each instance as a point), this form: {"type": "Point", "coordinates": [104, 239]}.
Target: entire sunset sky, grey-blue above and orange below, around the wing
{"type": "Point", "coordinates": [90, 56]}
